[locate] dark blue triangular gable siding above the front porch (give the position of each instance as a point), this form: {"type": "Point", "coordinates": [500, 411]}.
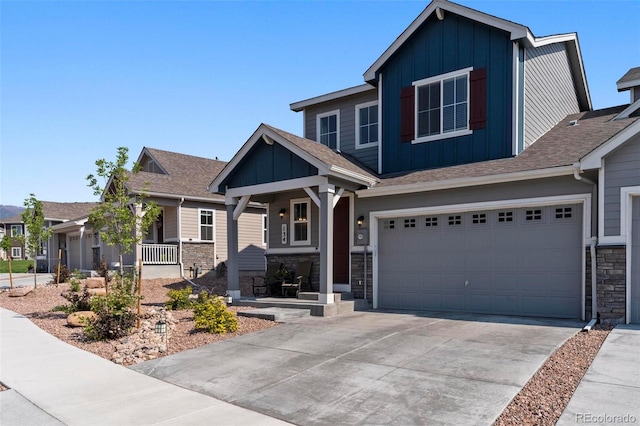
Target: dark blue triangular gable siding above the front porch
{"type": "Point", "coordinates": [268, 163]}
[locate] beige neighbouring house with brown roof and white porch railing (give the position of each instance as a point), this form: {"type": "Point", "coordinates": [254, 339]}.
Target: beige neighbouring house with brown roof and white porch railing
{"type": "Point", "coordinates": [191, 230]}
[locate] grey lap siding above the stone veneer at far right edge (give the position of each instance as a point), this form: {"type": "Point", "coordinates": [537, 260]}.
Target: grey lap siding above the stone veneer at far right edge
{"type": "Point", "coordinates": [621, 169]}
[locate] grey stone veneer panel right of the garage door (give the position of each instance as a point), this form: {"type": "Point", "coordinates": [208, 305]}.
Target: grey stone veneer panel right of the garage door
{"type": "Point", "coordinates": [611, 283]}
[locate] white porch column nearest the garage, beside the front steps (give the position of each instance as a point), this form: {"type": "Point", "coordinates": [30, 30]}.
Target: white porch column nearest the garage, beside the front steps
{"type": "Point", "coordinates": [326, 243]}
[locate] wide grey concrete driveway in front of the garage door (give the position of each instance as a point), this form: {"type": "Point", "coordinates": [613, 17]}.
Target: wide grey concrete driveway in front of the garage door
{"type": "Point", "coordinates": [372, 368]}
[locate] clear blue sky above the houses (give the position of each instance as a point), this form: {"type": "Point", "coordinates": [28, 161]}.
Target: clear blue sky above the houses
{"type": "Point", "coordinates": [81, 78]}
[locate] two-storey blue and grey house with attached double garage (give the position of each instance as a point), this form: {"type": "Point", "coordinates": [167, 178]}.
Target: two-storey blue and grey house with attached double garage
{"type": "Point", "coordinates": [468, 174]}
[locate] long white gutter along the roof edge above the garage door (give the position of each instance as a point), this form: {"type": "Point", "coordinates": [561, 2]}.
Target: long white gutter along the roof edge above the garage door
{"type": "Point", "coordinates": [465, 182]}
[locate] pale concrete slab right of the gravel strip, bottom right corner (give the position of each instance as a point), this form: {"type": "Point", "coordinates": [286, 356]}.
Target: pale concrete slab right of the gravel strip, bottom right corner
{"type": "Point", "coordinates": [610, 391]}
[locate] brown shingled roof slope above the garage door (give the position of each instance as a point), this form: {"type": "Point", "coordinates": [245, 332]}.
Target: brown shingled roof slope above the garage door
{"type": "Point", "coordinates": [554, 154]}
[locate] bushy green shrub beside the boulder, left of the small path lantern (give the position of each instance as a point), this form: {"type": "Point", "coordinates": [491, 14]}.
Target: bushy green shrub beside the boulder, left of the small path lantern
{"type": "Point", "coordinates": [115, 315]}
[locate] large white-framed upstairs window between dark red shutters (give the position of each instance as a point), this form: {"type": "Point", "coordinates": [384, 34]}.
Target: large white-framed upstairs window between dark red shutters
{"type": "Point", "coordinates": [442, 106]}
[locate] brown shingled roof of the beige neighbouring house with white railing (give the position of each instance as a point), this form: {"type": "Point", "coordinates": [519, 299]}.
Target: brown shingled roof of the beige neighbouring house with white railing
{"type": "Point", "coordinates": [187, 176]}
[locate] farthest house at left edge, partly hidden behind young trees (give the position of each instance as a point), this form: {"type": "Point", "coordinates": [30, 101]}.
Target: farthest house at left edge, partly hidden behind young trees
{"type": "Point", "coordinates": [54, 213]}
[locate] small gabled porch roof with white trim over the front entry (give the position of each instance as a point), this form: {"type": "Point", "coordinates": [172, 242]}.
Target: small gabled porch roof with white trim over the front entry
{"type": "Point", "coordinates": [327, 161]}
